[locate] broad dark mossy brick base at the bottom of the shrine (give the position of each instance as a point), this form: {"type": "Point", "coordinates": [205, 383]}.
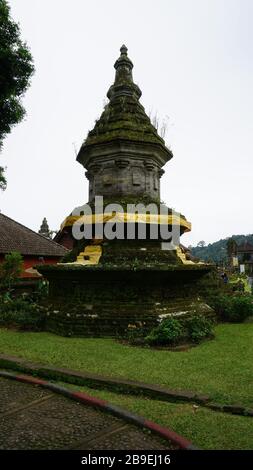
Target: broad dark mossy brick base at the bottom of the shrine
{"type": "Point", "coordinates": [92, 301]}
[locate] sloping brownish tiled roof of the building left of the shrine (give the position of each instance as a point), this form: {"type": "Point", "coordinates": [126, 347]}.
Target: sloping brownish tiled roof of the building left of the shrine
{"type": "Point", "coordinates": [17, 237]}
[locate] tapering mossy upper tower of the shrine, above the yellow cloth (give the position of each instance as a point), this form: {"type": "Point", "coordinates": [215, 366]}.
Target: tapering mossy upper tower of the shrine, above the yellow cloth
{"type": "Point", "coordinates": [124, 154]}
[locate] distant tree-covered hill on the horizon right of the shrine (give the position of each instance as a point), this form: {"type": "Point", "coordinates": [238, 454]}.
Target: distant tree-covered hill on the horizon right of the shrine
{"type": "Point", "coordinates": [217, 251]}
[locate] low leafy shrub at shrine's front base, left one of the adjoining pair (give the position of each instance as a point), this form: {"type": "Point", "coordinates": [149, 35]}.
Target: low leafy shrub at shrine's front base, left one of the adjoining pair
{"type": "Point", "coordinates": [170, 331]}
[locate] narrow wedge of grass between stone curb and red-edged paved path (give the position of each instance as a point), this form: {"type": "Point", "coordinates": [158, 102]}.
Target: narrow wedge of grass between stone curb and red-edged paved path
{"type": "Point", "coordinates": [204, 428]}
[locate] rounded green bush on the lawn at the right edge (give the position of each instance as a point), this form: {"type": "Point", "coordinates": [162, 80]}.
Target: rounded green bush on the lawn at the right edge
{"type": "Point", "coordinates": [233, 308]}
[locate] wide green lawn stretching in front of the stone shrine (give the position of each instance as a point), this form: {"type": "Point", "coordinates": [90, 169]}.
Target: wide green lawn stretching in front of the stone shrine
{"type": "Point", "coordinates": [221, 368]}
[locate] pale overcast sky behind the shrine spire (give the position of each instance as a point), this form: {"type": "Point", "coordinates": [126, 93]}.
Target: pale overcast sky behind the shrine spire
{"type": "Point", "coordinates": [193, 60]}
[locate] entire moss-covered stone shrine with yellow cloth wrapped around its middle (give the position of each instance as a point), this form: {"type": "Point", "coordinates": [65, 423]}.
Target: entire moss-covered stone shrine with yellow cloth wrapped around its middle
{"type": "Point", "coordinates": [105, 286]}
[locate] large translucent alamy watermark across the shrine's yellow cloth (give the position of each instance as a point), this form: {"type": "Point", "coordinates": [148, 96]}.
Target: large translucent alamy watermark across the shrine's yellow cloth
{"type": "Point", "coordinates": [138, 221]}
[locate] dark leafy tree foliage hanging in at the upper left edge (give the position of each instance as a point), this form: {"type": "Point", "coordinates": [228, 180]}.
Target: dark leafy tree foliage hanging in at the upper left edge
{"type": "Point", "coordinates": [16, 69]}
